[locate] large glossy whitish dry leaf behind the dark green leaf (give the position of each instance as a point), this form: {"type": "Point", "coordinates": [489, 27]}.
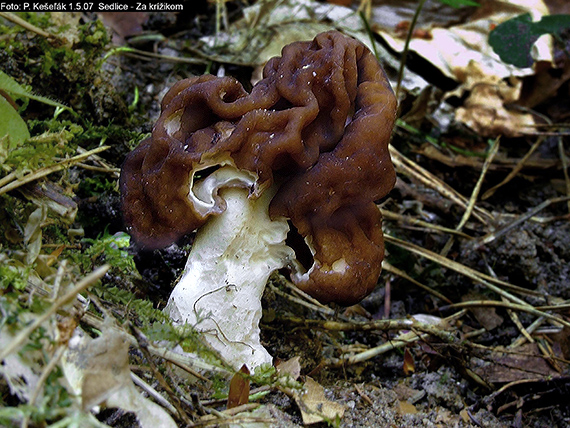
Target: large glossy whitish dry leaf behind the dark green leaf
{"type": "Point", "coordinates": [459, 36]}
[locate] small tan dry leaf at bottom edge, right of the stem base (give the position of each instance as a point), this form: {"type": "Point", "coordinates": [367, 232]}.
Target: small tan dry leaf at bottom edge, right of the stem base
{"type": "Point", "coordinates": [314, 405]}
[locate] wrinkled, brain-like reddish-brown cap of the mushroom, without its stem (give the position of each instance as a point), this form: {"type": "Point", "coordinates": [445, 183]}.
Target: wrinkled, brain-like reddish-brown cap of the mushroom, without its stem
{"type": "Point", "coordinates": [318, 122]}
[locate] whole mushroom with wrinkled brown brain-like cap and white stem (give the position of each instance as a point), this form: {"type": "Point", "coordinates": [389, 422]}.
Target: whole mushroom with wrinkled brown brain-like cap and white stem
{"type": "Point", "coordinates": [308, 145]}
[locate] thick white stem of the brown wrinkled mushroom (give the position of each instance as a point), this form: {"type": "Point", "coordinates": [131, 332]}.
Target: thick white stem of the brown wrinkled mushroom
{"type": "Point", "coordinates": [227, 270]}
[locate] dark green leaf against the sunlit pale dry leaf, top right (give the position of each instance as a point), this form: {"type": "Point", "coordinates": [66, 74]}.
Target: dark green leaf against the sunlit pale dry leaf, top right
{"type": "Point", "coordinates": [513, 39]}
